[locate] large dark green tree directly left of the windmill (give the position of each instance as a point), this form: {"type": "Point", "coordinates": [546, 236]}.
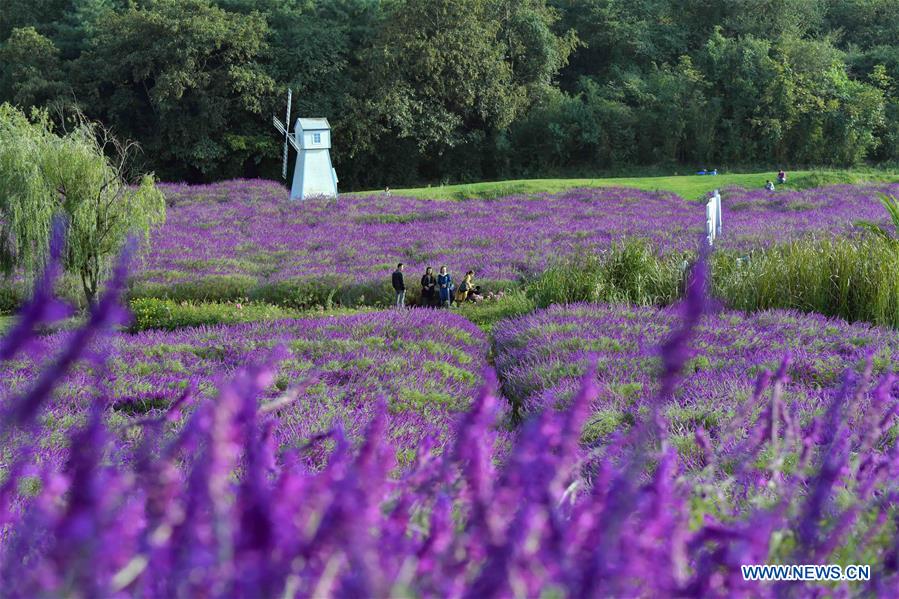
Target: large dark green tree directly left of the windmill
{"type": "Point", "coordinates": [184, 78]}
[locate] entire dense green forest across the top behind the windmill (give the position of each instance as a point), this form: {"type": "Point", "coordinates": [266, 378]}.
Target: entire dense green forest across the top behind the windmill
{"type": "Point", "coordinates": [456, 90]}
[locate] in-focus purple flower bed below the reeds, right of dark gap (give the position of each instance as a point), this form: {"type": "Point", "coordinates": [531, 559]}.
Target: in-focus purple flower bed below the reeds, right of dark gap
{"type": "Point", "coordinates": [541, 359]}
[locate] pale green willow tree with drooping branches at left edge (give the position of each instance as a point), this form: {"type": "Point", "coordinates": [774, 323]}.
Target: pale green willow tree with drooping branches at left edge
{"type": "Point", "coordinates": [81, 174]}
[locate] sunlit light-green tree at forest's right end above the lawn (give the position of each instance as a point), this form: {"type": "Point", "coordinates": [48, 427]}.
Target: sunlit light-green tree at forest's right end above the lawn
{"type": "Point", "coordinates": [790, 101]}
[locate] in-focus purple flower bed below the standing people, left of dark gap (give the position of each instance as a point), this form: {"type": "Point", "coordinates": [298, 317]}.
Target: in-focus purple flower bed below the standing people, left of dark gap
{"type": "Point", "coordinates": [426, 365]}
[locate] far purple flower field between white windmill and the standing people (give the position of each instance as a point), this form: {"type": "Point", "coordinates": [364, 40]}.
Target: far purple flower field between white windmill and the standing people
{"type": "Point", "coordinates": [250, 228]}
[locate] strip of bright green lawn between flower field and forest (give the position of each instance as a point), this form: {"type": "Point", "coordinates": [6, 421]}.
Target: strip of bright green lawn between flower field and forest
{"type": "Point", "coordinates": [691, 187]}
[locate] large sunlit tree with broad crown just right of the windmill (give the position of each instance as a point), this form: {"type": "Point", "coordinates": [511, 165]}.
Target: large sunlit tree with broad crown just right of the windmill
{"type": "Point", "coordinates": [444, 77]}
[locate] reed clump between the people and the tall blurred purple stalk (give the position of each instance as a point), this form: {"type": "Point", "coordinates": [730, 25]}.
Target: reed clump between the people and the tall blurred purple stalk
{"type": "Point", "coordinates": [632, 272]}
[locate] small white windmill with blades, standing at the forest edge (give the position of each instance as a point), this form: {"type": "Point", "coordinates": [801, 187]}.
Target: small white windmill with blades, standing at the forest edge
{"type": "Point", "coordinates": [313, 174]}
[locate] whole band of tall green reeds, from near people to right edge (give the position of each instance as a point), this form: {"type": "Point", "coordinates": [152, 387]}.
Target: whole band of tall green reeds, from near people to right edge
{"type": "Point", "coordinates": [854, 279]}
